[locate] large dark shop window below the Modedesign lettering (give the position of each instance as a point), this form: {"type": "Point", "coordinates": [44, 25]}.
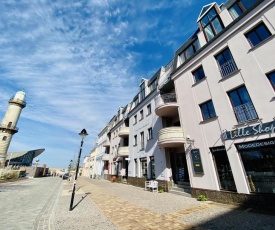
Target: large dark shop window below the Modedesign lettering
{"type": "Point", "coordinates": [259, 165]}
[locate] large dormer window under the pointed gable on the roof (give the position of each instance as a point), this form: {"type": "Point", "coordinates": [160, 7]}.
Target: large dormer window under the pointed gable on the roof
{"type": "Point", "coordinates": [211, 24]}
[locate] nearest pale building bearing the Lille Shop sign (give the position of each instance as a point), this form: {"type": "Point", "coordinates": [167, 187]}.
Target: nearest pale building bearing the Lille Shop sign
{"type": "Point", "coordinates": [224, 80]}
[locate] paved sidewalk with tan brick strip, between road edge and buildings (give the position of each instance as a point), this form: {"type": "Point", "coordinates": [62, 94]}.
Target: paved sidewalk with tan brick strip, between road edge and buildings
{"type": "Point", "coordinates": [105, 205]}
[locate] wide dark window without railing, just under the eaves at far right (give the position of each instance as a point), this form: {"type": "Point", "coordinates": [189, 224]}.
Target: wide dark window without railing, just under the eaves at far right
{"type": "Point", "coordinates": [258, 34]}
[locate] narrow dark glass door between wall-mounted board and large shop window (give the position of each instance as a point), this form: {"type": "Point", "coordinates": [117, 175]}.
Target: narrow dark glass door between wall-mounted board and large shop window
{"type": "Point", "coordinates": [224, 171]}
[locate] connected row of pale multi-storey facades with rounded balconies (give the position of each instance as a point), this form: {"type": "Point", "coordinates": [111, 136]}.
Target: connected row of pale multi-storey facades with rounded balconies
{"type": "Point", "coordinates": [204, 123]}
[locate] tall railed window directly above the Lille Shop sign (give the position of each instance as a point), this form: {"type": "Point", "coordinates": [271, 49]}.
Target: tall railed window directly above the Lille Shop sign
{"type": "Point", "coordinates": [242, 104]}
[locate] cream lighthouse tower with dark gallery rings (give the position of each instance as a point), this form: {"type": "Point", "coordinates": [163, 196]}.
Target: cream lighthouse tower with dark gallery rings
{"type": "Point", "coordinates": [8, 125]}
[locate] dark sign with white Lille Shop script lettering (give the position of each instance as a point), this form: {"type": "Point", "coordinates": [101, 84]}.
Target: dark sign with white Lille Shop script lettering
{"type": "Point", "coordinates": [258, 129]}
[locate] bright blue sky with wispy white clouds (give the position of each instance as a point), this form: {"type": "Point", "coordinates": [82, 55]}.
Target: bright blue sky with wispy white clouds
{"type": "Point", "coordinates": [78, 61]}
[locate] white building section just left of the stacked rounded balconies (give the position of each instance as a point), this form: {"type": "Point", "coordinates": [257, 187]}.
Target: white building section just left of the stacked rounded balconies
{"type": "Point", "coordinates": [146, 159]}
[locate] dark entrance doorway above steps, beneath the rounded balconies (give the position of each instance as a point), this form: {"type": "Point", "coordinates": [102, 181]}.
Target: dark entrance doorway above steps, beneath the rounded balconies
{"type": "Point", "coordinates": [179, 168]}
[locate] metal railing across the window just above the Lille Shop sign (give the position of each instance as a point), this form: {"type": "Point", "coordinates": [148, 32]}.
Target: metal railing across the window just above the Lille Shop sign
{"type": "Point", "coordinates": [245, 112]}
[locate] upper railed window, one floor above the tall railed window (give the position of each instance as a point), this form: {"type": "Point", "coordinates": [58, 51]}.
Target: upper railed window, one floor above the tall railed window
{"type": "Point", "coordinates": [226, 62]}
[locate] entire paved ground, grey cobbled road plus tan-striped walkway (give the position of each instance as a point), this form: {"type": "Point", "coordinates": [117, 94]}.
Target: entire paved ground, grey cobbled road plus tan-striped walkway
{"type": "Point", "coordinates": [43, 203]}
